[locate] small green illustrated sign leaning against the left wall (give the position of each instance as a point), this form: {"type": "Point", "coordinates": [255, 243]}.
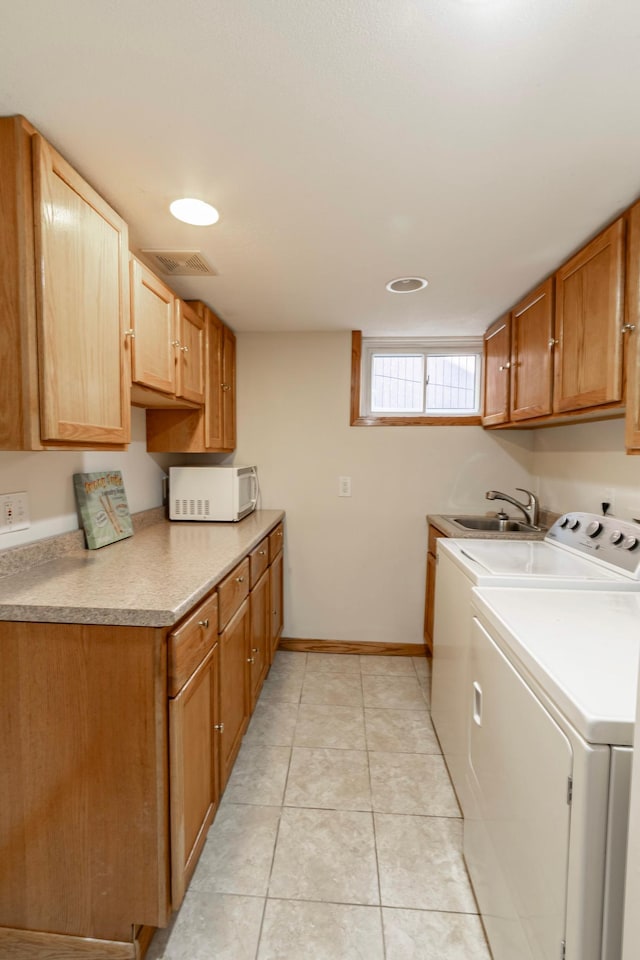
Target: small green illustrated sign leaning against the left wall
{"type": "Point", "coordinates": [103, 508]}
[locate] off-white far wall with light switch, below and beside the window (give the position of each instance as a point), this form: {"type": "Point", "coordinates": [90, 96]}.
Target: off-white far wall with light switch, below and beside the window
{"type": "Point", "coordinates": [356, 566]}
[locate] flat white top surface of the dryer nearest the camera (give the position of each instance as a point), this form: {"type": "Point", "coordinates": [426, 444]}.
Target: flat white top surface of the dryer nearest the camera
{"type": "Point", "coordinates": [582, 648]}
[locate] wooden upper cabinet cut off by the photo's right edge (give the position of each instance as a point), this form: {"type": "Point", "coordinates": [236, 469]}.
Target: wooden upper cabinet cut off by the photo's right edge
{"type": "Point", "coordinates": [632, 331]}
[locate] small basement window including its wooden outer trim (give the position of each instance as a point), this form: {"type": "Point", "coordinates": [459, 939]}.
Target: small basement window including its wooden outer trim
{"type": "Point", "coordinates": [398, 382]}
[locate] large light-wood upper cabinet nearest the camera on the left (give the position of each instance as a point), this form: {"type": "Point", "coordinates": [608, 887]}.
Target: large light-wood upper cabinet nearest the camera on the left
{"type": "Point", "coordinates": [64, 302]}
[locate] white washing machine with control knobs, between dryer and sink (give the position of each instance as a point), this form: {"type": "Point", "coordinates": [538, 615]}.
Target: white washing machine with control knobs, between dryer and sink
{"type": "Point", "coordinates": [580, 551]}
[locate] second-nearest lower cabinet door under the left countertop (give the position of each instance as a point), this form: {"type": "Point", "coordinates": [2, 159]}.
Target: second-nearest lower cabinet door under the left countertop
{"type": "Point", "coordinates": [234, 688]}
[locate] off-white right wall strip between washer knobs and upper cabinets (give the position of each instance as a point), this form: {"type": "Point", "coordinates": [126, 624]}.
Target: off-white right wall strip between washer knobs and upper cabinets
{"type": "Point", "coordinates": [577, 464]}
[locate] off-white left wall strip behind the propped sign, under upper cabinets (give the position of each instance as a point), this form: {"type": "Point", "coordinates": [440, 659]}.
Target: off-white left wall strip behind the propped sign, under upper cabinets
{"type": "Point", "coordinates": [47, 478]}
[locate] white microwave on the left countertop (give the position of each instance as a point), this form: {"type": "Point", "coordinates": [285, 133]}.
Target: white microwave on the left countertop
{"type": "Point", "coordinates": [212, 493]}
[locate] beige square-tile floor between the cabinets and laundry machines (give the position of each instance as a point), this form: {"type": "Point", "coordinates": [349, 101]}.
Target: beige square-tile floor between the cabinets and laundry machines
{"type": "Point", "coordinates": [339, 835]}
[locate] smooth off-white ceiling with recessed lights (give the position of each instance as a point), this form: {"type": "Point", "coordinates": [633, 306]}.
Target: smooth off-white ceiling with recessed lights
{"type": "Point", "coordinates": [476, 143]}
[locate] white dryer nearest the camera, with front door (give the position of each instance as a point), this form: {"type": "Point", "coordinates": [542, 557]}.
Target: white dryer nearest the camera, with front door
{"type": "Point", "coordinates": [552, 688]}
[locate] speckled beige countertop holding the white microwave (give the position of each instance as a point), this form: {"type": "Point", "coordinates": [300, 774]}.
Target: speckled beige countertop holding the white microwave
{"type": "Point", "coordinates": [151, 579]}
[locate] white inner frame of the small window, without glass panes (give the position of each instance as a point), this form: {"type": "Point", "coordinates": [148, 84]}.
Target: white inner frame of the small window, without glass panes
{"type": "Point", "coordinates": [428, 347]}
